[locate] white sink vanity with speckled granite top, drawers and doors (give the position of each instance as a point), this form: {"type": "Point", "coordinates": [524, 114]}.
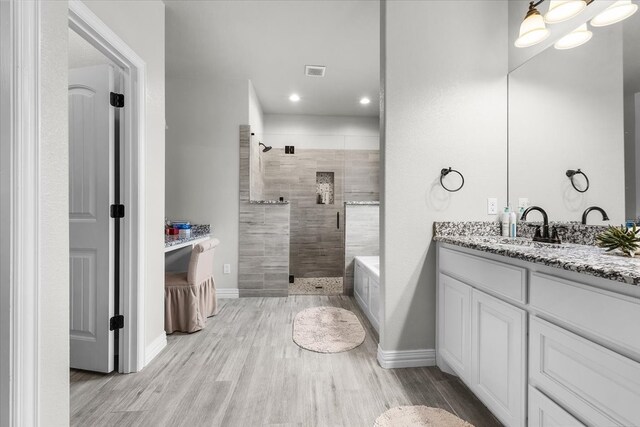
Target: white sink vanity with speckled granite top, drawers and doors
{"type": "Point", "coordinates": [543, 335]}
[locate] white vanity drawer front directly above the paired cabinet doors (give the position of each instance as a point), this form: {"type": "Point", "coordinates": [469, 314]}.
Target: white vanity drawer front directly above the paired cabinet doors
{"type": "Point", "coordinates": [502, 279]}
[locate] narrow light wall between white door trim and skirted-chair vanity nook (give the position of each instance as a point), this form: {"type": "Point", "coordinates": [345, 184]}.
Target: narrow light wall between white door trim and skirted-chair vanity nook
{"type": "Point", "coordinates": [142, 28]}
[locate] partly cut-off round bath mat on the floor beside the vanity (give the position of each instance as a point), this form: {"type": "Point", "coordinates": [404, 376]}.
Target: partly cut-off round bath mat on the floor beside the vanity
{"type": "Point", "coordinates": [418, 416]}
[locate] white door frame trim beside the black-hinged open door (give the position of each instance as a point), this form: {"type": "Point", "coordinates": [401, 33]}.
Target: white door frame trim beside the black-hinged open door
{"type": "Point", "coordinates": [131, 341]}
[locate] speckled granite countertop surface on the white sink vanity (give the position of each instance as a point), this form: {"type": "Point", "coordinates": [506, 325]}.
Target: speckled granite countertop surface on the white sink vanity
{"type": "Point", "coordinates": [583, 259]}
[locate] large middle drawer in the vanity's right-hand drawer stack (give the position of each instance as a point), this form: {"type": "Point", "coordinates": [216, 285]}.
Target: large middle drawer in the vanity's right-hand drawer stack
{"type": "Point", "coordinates": [600, 387]}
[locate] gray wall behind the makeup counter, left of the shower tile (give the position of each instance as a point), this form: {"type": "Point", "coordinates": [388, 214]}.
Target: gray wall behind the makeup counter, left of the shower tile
{"type": "Point", "coordinates": [203, 157]}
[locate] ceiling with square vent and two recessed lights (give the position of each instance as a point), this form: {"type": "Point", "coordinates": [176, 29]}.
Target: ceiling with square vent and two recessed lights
{"type": "Point", "coordinates": [270, 41]}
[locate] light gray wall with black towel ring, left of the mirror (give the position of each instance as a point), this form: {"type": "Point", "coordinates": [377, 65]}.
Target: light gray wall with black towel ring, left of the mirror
{"type": "Point", "coordinates": [444, 105]}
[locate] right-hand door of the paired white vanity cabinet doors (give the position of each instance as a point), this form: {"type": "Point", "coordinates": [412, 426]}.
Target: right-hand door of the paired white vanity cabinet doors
{"type": "Point", "coordinates": [498, 357]}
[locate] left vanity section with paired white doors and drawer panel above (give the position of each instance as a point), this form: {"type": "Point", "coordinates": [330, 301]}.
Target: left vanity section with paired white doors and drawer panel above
{"type": "Point", "coordinates": [480, 337]}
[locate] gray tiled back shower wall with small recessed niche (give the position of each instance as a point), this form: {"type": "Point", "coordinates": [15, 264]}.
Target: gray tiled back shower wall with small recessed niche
{"type": "Point", "coordinates": [317, 245]}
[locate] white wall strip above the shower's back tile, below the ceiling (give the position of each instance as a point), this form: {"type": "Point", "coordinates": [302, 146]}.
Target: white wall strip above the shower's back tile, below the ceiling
{"type": "Point", "coordinates": [322, 132]}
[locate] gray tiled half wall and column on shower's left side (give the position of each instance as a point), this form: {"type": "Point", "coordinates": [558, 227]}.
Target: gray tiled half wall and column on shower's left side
{"type": "Point", "coordinates": [263, 264]}
